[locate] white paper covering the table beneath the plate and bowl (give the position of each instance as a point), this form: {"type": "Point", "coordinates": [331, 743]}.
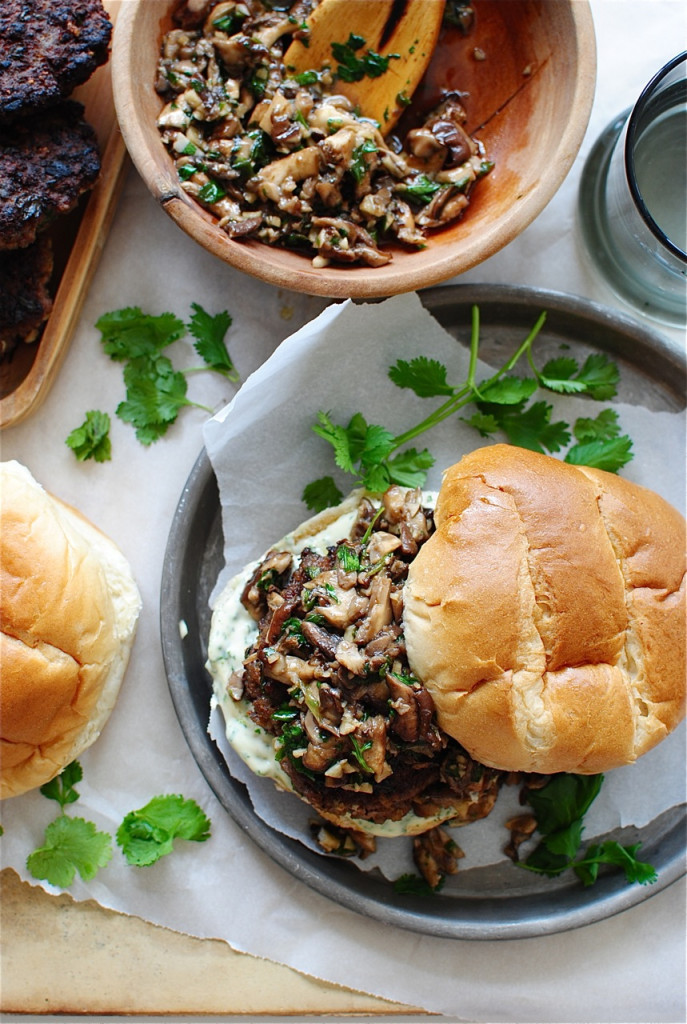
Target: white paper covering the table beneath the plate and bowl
{"type": "Point", "coordinates": [629, 968]}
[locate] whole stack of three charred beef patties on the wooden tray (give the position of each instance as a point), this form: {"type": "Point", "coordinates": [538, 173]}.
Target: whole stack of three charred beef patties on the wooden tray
{"type": "Point", "coordinates": [49, 155]}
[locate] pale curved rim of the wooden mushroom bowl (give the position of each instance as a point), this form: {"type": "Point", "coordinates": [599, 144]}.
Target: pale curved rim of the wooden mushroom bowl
{"type": "Point", "coordinates": [363, 283]}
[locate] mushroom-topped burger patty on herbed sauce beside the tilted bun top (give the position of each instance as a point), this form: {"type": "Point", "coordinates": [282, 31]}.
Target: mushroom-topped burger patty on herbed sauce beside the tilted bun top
{"type": "Point", "coordinates": [329, 676]}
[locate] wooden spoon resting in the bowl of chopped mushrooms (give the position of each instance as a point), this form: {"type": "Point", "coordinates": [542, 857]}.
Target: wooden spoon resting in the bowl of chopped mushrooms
{"type": "Point", "coordinates": [403, 32]}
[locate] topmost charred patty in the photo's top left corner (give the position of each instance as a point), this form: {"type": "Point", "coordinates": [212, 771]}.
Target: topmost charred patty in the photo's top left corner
{"type": "Point", "coordinates": [48, 48]}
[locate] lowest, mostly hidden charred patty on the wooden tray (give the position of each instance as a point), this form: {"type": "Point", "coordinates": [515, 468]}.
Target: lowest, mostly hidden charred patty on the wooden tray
{"type": "Point", "coordinates": [25, 303]}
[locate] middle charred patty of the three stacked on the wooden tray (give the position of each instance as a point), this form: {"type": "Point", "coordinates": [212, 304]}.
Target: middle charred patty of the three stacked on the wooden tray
{"type": "Point", "coordinates": [47, 163]}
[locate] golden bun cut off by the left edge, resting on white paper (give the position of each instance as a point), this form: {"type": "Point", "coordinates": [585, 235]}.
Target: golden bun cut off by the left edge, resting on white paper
{"type": "Point", "coordinates": [69, 613]}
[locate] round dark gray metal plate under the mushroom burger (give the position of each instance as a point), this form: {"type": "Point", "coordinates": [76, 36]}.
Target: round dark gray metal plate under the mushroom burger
{"type": "Point", "coordinates": [497, 903]}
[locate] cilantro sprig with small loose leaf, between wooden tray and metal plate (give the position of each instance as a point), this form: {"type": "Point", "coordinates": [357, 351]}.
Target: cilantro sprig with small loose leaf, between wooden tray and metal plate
{"type": "Point", "coordinates": [156, 392]}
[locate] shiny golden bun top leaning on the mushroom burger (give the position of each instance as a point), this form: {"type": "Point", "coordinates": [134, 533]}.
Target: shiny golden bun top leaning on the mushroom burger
{"type": "Point", "coordinates": [546, 616]}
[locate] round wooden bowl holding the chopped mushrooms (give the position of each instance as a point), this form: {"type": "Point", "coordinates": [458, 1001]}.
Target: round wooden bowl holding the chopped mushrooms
{"type": "Point", "coordinates": [529, 102]}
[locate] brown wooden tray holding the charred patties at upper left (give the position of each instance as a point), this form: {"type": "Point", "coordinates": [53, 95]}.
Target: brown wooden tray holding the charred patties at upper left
{"type": "Point", "coordinates": [78, 241]}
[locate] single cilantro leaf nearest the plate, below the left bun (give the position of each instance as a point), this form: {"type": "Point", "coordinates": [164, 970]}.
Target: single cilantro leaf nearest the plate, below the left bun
{"type": "Point", "coordinates": [149, 834]}
